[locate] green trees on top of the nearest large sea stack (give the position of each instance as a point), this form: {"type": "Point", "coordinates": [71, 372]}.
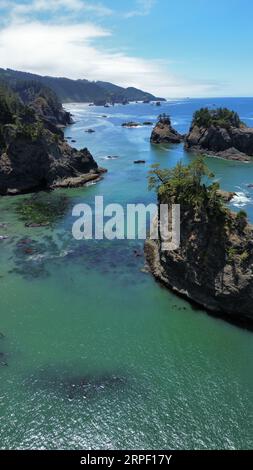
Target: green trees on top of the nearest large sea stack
{"type": "Point", "coordinates": [187, 184]}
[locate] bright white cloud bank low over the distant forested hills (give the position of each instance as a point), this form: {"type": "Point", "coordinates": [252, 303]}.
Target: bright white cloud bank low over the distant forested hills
{"type": "Point", "coordinates": [71, 51]}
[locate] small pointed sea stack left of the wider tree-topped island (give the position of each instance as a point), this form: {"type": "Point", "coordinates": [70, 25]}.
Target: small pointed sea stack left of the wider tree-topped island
{"type": "Point", "coordinates": [163, 133]}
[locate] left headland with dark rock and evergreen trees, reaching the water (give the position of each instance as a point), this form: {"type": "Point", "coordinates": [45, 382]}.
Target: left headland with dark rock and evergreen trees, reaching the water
{"type": "Point", "coordinates": [33, 152]}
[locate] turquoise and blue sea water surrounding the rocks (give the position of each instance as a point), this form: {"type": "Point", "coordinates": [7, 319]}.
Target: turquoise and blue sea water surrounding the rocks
{"type": "Point", "coordinates": [98, 354]}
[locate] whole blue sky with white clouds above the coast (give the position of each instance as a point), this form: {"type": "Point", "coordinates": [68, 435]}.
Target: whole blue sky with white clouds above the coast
{"type": "Point", "coordinates": [172, 48]}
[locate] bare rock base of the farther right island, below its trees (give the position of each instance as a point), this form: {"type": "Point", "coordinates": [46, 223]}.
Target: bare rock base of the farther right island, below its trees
{"type": "Point", "coordinates": [223, 139]}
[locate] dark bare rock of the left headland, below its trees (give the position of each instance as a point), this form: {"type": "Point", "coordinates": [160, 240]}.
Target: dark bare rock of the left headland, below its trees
{"type": "Point", "coordinates": [41, 162]}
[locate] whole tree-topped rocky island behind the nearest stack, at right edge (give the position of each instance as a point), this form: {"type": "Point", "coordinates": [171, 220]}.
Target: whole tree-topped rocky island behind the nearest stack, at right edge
{"type": "Point", "coordinates": [220, 133]}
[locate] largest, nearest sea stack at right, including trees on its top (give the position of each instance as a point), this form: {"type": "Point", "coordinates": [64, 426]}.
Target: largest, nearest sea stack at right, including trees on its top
{"type": "Point", "coordinates": [213, 267]}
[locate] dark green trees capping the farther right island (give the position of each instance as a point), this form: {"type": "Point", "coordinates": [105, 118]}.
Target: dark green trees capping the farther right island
{"type": "Point", "coordinates": [221, 117]}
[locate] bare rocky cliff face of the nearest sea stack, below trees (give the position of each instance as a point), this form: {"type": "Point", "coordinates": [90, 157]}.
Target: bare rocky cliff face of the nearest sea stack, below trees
{"type": "Point", "coordinates": [213, 265]}
